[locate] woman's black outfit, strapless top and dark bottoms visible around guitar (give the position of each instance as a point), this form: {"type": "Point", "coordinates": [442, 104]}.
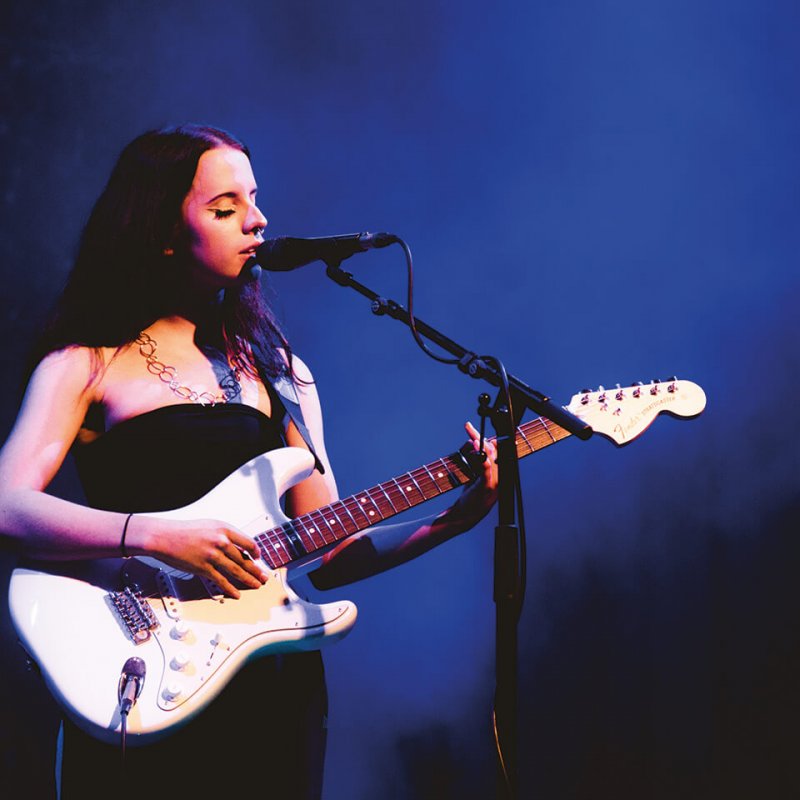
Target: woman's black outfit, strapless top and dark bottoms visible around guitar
{"type": "Point", "coordinates": [244, 743]}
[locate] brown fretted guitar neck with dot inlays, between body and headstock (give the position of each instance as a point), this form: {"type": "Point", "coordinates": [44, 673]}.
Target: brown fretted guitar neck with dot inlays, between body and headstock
{"type": "Point", "coordinates": [319, 529]}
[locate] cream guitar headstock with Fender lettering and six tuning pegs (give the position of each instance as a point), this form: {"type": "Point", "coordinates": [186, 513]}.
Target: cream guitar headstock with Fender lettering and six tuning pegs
{"type": "Point", "coordinates": [624, 412]}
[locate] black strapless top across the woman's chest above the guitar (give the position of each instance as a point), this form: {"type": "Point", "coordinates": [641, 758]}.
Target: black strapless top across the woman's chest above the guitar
{"type": "Point", "coordinates": [171, 456]}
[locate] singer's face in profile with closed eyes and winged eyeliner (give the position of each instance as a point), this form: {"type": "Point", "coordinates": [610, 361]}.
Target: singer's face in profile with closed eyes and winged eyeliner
{"type": "Point", "coordinates": [222, 224]}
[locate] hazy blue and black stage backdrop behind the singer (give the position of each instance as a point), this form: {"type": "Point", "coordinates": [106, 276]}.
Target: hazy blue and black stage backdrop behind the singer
{"type": "Point", "coordinates": [594, 192]}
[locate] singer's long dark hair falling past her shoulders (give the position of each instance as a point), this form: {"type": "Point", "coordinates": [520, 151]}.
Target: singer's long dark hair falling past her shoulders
{"type": "Point", "coordinates": [122, 280]}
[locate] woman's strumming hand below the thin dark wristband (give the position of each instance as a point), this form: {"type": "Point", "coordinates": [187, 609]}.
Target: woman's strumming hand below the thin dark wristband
{"type": "Point", "coordinates": [207, 548]}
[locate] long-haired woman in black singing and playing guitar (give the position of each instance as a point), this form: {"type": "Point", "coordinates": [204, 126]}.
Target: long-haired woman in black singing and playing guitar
{"type": "Point", "coordinates": [163, 370]}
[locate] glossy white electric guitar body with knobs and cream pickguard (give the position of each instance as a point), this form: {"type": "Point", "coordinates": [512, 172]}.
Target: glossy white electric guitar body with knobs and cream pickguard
{"type": "Point", "coordinates": [81, 621]}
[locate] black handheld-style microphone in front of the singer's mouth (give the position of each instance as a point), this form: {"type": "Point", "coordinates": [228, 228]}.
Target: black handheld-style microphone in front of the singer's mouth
{"type": "Point", "coordinates": [286, 253]}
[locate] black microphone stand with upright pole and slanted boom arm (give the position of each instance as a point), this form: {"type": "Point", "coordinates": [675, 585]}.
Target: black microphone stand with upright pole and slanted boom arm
{"type": "Point", "coordinates": [507, 588]}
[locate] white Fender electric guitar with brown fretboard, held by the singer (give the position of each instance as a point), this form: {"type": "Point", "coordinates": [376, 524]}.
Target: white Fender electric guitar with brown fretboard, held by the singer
{"type": "Point", "coordinates": [81, 621]}
